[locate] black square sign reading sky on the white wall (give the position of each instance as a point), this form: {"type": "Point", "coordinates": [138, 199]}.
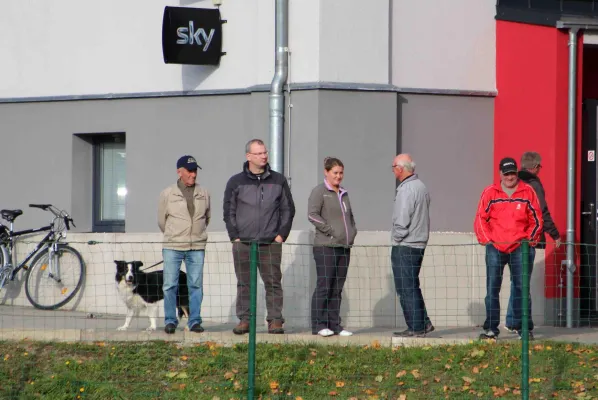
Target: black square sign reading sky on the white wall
{"type": "Point", "coordinates": [191, 36]}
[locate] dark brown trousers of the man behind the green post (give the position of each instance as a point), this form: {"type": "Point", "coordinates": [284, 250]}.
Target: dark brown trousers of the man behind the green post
{"type": "Point", "coordinates": [269, 259]}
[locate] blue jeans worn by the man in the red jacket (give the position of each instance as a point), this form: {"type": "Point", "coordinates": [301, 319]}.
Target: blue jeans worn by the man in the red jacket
{"type": "Point", "coordinates": [495, 264]}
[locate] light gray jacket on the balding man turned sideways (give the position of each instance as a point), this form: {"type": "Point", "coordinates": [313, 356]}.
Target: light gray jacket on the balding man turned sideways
{"type": "Point", "coordinates": [411, 214]}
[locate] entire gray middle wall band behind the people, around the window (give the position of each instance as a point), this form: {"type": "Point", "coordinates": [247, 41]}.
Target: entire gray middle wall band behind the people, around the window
{"type": "Point", "coordinates": [450, 137]}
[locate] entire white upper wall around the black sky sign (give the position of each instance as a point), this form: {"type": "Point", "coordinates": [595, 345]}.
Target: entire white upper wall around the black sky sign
{"type": "Point", "coordinates": [89, 47]}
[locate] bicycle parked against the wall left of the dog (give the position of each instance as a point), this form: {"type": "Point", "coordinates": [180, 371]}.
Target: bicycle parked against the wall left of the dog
{"type": "Point", "coordinates": [50, 260]}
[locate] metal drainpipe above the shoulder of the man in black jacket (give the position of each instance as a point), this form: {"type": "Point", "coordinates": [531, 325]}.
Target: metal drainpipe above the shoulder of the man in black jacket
{"type": "Point", "coordinates": [278, 82]}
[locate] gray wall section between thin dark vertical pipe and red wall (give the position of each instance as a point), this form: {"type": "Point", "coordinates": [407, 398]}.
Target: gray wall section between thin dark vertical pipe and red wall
{"type": "Point", "coordinates": [451, 139]}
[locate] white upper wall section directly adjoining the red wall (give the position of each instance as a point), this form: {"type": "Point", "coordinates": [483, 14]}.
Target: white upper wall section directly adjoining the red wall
{"type": "Point", "coordinates": [444, 44]}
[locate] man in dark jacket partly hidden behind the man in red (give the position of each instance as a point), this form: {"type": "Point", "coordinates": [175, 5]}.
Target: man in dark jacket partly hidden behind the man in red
{"type": "Point", "coordinates": [531, 165]}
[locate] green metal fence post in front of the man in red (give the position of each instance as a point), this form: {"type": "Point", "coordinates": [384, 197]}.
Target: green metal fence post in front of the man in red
{"type": "Point", "coordinates": [525, 321]}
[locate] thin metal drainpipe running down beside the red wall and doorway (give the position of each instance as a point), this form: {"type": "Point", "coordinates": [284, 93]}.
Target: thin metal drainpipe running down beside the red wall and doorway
{"type": "Point", "coordinates": [571, 174]}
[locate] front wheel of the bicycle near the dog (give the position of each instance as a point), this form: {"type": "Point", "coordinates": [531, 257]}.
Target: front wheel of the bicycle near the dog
{"type": "Point", "coordinates": [49, 290]}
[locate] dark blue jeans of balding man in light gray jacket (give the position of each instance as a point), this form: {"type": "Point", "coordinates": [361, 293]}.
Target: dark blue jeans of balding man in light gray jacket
{"type": "Point", "coordinates": [406, 264]}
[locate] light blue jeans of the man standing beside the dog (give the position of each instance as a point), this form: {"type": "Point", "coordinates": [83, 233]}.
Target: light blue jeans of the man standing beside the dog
{"type": "Point", "coordinates": [172, 265]}
